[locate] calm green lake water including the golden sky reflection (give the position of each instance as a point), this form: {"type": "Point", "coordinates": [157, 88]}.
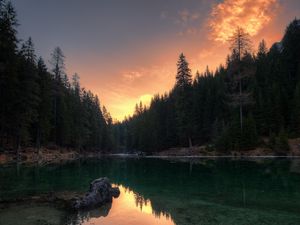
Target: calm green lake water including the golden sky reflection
{"type": "Point", "coordinates": [160, 191]}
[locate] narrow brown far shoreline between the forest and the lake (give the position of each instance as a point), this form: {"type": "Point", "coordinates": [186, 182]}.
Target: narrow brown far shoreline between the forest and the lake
{"type": "Point", "coordinates": [57, 155]}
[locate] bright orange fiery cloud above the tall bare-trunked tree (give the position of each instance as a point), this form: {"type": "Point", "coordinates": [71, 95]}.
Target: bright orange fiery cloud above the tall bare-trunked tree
{"type": "Point", "coordinates": [251, 15]}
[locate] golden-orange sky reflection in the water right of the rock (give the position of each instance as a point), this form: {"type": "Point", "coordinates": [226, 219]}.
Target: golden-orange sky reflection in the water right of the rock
{"type": "Point", "coordinates": [131, 209]}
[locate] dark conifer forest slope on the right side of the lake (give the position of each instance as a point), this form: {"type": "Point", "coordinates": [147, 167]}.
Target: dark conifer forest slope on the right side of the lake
{"type": "Point", "coordinates": [253, 100]}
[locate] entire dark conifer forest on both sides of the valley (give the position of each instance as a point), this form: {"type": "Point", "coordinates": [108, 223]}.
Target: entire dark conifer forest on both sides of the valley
{"type": "Point", "coordinates": [252, 100]}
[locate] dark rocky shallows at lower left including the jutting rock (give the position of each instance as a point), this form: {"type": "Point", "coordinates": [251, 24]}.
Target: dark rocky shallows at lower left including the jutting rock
{"type": "Point", "coordinates": [55, 208]}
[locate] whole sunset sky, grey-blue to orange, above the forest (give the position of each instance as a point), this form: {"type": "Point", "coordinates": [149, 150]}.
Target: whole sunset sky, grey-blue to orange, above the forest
{"type": "Point", "coordinates": [126, 51]}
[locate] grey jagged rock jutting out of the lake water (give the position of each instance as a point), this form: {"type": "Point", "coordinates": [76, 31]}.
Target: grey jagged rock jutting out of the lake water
{"type": "Point", "coordinates": [100, 192]}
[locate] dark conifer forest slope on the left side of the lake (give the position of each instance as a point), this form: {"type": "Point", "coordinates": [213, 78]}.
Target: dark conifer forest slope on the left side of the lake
{"type": "Point", "coordinates": [41, 106]}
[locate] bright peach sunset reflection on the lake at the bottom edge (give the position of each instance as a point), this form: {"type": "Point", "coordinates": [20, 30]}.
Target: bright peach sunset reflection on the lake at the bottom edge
{"type": "Point", "coordinates": [129, 209]}
